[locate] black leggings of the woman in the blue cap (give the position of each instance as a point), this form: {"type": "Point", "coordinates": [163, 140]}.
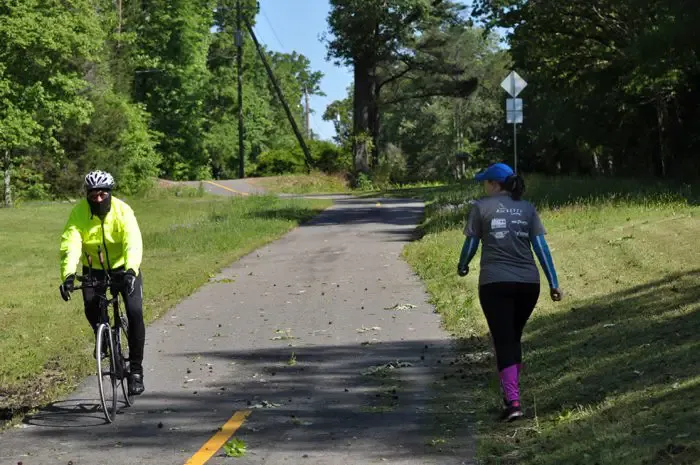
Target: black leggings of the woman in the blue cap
{"type": "Point", "coordinates": [507, 307]}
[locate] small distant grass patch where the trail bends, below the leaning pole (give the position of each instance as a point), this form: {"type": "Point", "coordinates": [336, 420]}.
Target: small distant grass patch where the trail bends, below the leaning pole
{"type": "Point", "coordinates": [315, 183]}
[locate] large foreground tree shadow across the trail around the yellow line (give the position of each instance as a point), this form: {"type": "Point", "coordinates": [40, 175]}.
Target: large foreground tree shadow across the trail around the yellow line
{"type": "Point", "coordinates": [375, 398]}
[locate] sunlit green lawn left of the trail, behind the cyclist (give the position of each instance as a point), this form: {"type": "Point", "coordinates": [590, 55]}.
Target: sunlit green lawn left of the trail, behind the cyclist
{"type": "Point", "coordinates": [45, 343]}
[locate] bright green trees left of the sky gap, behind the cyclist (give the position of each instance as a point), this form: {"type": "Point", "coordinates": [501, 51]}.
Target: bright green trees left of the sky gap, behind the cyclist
{"type": "Point", "coordinates": [144, 88]}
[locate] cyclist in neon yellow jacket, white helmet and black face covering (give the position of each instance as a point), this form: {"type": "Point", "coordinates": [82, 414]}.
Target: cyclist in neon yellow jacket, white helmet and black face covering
{"type": "Point", "coordinates": [105, 221]}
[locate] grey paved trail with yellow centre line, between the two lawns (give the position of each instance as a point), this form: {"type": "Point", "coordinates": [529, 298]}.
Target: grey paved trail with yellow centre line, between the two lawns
{"type": "Point", "coordinates": [289, 333]}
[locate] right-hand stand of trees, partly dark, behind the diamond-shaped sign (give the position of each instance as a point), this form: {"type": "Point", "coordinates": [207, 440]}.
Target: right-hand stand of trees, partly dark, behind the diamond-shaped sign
{"type": "Point", "coordinates": [614, 86]}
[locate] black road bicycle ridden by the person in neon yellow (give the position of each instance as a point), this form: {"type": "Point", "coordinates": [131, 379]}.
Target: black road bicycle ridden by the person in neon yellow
{"type": "Point", "coordinates": [108, 337]}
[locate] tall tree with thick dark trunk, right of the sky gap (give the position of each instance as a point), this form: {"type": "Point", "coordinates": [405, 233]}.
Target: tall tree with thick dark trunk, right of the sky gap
{"type": "Point", "coordinates": [384, 43]}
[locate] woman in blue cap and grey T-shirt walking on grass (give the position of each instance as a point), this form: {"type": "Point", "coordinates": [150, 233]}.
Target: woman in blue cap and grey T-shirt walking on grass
{"type": "Point", "coordinates": [509, 281]}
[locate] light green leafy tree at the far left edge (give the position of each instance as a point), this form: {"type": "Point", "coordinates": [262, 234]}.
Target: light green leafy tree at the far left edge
{"type": "Point", "coordinates": [44, 51]}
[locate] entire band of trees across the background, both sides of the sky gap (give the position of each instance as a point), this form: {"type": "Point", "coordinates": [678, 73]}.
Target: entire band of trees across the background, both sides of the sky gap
{"type": "Point", "coordinates": [147, 88]}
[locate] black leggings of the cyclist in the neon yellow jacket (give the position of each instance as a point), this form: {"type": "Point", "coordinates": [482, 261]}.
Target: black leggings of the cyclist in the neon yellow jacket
{"type": "Point", "coordinates": [134, 311]}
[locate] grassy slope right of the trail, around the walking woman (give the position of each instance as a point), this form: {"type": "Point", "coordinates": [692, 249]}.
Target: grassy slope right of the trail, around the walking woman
{"type": "Point", "coordinates": [611, 372]}
